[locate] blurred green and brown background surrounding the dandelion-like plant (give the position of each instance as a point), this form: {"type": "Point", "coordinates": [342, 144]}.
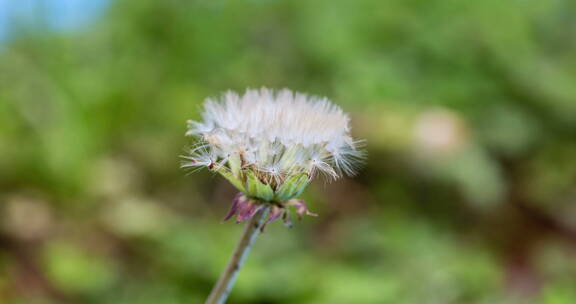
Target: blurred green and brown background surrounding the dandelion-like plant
{"type": "Point", "coordinates": [468, 109]}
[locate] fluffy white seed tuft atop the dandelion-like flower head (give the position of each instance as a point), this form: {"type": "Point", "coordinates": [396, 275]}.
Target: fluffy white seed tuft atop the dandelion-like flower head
{"type": "Point", "coordinates": [277, 134]}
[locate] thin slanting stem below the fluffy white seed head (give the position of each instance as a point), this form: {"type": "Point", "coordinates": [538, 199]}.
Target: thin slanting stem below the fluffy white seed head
{"type": "Point", "coordinates": [227, 279]}
